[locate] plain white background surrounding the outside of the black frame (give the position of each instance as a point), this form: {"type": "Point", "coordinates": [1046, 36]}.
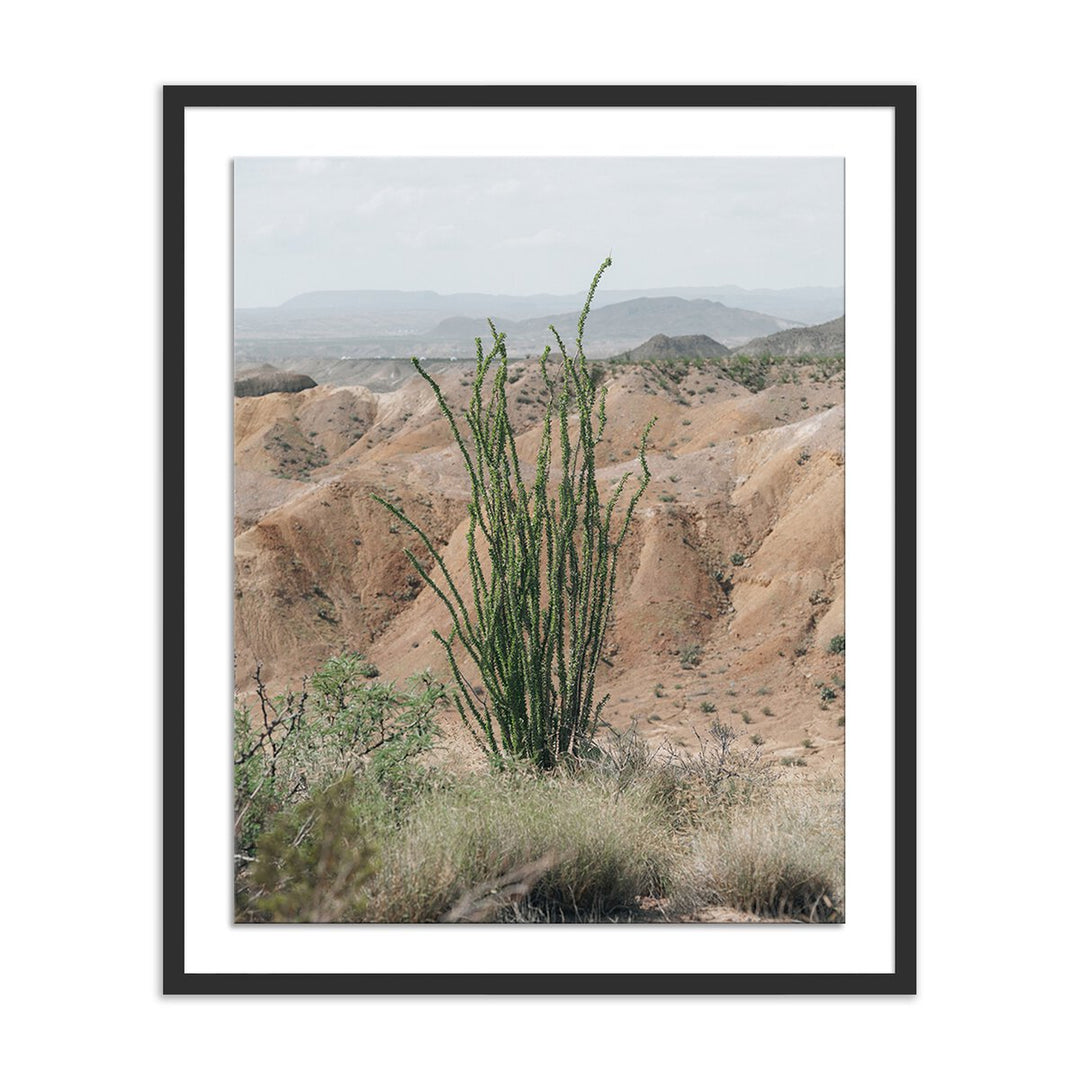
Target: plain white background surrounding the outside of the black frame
{"type": "Point", "coordinates": [80, 239]}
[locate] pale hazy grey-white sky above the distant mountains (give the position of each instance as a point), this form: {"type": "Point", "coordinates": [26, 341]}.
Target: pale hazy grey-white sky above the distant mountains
{"type": "Point", "coordinates": [534, 225]}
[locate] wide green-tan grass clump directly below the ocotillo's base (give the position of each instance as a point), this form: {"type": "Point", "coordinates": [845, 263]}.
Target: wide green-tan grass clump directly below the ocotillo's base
{"type": "Point", "coordinates": [607, 846]}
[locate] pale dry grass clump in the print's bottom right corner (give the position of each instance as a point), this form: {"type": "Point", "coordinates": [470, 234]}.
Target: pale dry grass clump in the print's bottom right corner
{"type": "Point", "coordinates": [780, 855]}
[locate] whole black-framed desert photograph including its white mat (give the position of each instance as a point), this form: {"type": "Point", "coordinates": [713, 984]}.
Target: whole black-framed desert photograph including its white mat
{"type": "Point", "coordinates": [520, 511]}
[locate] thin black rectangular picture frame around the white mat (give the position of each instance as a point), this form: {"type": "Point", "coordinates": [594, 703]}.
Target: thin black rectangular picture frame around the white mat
{"type": "Point", "coordinates": [901, 101]}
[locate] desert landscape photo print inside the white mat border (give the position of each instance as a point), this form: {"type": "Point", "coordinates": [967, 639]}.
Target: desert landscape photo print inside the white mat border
{"type": "Point", "coordinates": [539, 539]}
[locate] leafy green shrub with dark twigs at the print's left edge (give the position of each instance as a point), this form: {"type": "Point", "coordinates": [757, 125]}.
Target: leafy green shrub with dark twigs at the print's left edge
{"type": "Point", "coordinates": [340, 723]}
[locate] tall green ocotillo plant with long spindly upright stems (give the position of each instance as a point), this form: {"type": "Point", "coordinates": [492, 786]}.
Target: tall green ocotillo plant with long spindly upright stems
{"type": "Point", "coordinates": [539, 613]}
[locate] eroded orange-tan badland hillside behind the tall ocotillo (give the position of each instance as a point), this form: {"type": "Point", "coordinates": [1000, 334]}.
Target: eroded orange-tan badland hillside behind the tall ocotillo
{"type": "Point", "coordinates": [730, 604]}
